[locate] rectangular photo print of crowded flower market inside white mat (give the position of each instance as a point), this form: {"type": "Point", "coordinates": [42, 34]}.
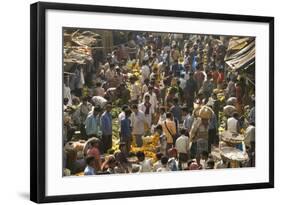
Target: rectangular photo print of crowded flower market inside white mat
{"type": "Point", "coordinates": [142, 102]}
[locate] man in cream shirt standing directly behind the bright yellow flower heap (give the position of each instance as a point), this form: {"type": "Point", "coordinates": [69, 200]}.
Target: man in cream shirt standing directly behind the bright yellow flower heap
{"type": "Point", "coordinates": [138, 120]}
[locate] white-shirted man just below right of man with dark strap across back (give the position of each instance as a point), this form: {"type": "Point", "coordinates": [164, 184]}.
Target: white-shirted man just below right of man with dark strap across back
{"type": "Point", "coordinates": [182, 146]}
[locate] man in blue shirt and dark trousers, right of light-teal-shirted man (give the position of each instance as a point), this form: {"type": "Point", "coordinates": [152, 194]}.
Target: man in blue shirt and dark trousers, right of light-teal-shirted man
{"type": "Point", "coordinates": [106, 128]}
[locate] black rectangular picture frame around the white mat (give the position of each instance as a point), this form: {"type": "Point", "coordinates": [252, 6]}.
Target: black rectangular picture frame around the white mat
{"type": "Point", "coordinates": [38, 100]}
